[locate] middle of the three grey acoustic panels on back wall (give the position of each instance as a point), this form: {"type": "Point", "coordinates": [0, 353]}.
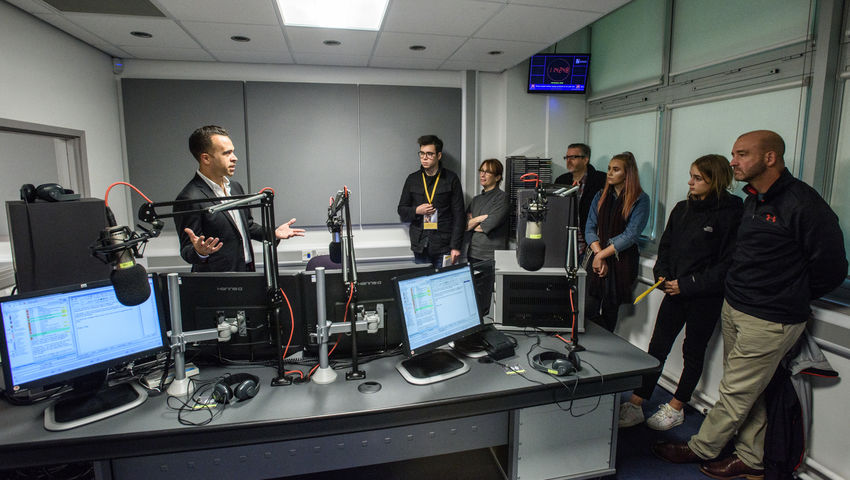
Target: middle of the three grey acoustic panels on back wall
{"type": "Point", "coordinates": [303, 139]}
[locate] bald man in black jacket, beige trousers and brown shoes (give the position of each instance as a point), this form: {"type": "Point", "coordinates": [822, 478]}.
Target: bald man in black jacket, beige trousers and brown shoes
{"type": "Point", "coordinates": [789, 251]}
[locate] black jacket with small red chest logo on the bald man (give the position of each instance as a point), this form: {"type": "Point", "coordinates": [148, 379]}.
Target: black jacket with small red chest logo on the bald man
{"type": "Point", "coordinates": [789, 251]}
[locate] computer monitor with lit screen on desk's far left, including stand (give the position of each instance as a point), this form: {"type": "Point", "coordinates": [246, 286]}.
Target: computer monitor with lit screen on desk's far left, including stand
{"type": "Point", "coordinates": [72, 336]}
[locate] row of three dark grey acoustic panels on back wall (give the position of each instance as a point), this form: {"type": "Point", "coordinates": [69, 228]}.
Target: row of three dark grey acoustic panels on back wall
{"type": "Point", "coordinates": [304, 140]}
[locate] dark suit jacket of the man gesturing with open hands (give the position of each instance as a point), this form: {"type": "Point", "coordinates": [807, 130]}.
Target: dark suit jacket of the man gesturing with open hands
{"type": "Point", "coordinates": [231, 257]}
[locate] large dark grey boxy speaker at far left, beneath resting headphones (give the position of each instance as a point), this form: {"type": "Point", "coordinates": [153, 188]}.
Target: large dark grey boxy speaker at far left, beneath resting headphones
{"type": "Point", "coordinates": [50, 242]}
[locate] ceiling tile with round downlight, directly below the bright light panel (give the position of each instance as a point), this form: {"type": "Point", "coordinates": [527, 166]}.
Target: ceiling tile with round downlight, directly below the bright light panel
{"type": "Point", "coordinates": [309, 40]}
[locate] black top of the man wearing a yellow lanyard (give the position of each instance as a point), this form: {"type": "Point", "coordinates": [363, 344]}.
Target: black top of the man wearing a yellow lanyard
{"type": "Point", "coordinates": [448, 200]}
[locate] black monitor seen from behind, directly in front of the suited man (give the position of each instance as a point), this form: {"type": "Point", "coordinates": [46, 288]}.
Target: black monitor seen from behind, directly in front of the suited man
{"type": "Point", "coordinates": [239, 299]}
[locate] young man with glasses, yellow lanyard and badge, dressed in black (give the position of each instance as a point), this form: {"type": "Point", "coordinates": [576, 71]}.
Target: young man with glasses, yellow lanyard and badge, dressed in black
{"type": "Point", "coordinates": [432, 202]}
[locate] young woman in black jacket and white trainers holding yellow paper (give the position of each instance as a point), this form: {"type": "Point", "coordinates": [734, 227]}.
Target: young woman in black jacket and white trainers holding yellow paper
{"type": "Point", "coordinates": [693, 256]}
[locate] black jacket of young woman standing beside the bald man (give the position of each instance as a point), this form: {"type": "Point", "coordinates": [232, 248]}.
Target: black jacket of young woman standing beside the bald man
{"type": "Point", "coordinates": [697, 244]}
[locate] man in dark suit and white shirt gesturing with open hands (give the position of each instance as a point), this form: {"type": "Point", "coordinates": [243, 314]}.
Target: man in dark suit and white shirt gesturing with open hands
{"type": "Point", "coordinates": [218, 242]}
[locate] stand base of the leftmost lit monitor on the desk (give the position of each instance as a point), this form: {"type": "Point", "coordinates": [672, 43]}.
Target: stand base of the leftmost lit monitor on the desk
{"type": "Point", "coordinates": [82, 409]}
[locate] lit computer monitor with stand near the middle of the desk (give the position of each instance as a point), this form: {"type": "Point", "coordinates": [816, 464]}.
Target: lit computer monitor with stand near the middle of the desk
{"type": "Point", "coordinates": [436, 307]}
